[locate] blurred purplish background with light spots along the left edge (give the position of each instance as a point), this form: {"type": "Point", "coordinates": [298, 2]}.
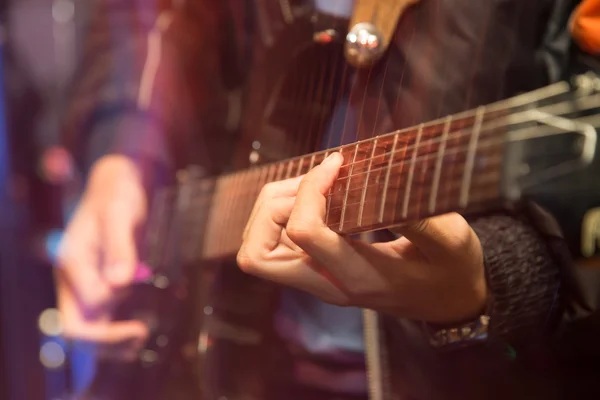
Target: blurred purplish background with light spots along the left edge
{"type": "Point", "coordinates": [39, 48]}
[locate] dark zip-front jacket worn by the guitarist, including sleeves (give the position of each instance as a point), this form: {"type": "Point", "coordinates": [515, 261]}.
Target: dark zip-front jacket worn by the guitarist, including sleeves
{"type": "Point", "coordinates": [153, 79]}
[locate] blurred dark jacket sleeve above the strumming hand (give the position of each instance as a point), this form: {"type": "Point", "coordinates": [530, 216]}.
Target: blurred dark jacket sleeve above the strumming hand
{"type": "Point", "coordinates": [149, 74]}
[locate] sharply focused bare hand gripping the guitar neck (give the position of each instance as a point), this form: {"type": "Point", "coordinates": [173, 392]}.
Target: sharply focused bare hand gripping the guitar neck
{"type": "Point", "coordinates": [434, 272]}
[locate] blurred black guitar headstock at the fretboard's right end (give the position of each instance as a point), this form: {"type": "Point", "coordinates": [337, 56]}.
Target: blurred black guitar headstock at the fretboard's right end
{"type": "Point", "coordinates": [552, 157]}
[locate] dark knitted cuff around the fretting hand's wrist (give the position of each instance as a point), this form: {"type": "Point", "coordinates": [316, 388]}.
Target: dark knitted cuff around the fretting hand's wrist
{"type": "Point", "coordinates": [523, 266]}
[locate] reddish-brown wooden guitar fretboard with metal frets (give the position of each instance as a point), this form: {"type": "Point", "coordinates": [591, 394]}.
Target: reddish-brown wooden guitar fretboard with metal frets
{"type": "Point", "coordinates": [452, 165]}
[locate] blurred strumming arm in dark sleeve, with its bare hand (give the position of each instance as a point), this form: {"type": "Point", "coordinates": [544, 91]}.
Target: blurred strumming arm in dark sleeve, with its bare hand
{"type": "Point", "coordinates": [123, 126]}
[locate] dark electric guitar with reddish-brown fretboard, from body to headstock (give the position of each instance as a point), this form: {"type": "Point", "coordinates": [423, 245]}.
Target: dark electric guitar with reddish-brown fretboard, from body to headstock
{"type": "Point", "coordinates": [540, 146]}
